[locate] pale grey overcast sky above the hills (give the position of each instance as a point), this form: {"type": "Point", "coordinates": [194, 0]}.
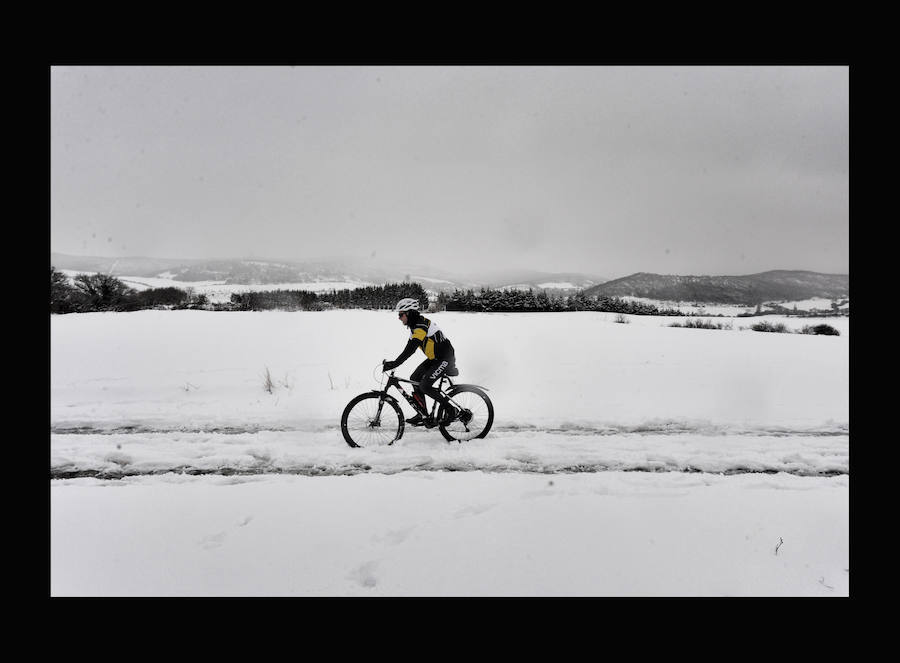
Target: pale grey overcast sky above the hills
{"type": "Point", "coordinates": [606, 170]}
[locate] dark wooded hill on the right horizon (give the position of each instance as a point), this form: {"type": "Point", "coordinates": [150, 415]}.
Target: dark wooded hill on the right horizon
{"type": "Point", "coordinates": [749, 290]}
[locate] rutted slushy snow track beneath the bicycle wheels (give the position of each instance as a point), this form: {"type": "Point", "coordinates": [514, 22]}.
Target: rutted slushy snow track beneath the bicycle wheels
{"type": "Point", "coordinates": [320, 450]}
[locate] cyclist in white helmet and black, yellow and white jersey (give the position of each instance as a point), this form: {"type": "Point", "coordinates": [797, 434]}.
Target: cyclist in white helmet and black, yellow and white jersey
{"type": "Point", "coordinates": [428, 337]}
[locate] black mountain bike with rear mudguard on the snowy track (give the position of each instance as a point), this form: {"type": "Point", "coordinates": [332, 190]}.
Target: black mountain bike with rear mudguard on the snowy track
{"type": "Point", "coordinates": [366, 423]}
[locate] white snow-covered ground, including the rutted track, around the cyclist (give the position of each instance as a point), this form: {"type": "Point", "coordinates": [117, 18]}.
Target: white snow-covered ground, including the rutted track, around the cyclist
{"type": "Point", "coordinates": [625, 459]}
